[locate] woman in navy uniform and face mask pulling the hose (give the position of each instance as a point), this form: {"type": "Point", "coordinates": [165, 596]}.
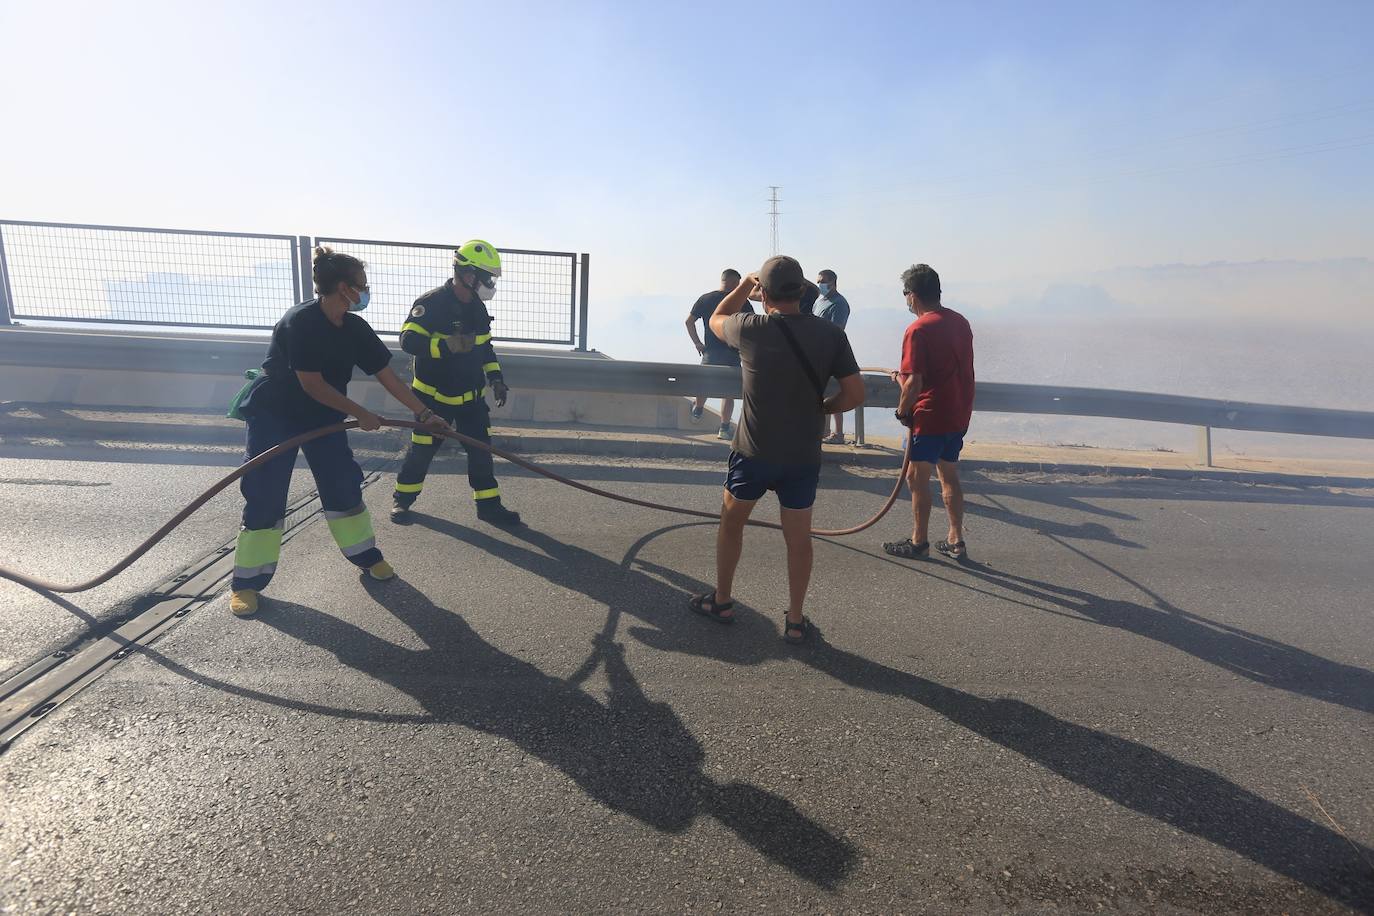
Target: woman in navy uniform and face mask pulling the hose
{"type": "Point", "coordinates": [304, 387]}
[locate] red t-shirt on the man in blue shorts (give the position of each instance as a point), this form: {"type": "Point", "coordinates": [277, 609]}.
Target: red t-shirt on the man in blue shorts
{"type": "Point", "coordinates": [939, 347]}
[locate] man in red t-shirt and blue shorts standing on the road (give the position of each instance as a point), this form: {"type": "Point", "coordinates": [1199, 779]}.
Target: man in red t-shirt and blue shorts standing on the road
{"type": "Point", "coordinates": [936, 404]}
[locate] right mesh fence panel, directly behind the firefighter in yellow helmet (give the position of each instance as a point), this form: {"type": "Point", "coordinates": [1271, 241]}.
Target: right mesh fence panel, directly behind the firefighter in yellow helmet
{"type": "Point", "coordinates": [535, 296]}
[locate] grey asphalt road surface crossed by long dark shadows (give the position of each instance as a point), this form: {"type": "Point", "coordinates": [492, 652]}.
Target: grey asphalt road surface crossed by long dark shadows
{"type": "Point", "coordinates": [1151, 697]}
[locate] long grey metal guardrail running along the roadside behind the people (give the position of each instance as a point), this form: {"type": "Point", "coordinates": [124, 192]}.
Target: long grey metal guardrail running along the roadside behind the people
{"type": "Point", "coordinates": [78, 351]}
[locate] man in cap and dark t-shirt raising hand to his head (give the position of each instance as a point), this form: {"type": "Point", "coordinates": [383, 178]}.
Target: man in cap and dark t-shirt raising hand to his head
{"type": "Point", "coordinates": [787, 359]}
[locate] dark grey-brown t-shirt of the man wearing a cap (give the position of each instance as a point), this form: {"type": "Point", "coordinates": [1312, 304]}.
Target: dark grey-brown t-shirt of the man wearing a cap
{"type": "Point", "coordinates": [782, 415]}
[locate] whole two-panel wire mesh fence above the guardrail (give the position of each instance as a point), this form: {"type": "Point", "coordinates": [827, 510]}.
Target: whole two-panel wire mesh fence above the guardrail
{"type": "Point", "coordinates": [238, 281]}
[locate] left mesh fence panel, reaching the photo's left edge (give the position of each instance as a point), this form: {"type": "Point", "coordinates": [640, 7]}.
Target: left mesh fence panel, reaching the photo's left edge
{"type": "Point", "coordinates": [148, 277]}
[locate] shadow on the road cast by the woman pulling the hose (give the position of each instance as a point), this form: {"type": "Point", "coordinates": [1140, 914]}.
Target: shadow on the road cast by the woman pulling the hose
{"type": "Point", "coordinates": [631, 755]}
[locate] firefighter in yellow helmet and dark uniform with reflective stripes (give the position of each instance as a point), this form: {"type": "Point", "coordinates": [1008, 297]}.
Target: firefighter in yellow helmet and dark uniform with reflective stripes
{"type": "Point", "coordinates": [450, 336]}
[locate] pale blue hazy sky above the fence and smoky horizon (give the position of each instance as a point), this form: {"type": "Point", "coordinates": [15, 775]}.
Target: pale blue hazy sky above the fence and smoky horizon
{"type": "Point", "coordinates": [998, 142]}
